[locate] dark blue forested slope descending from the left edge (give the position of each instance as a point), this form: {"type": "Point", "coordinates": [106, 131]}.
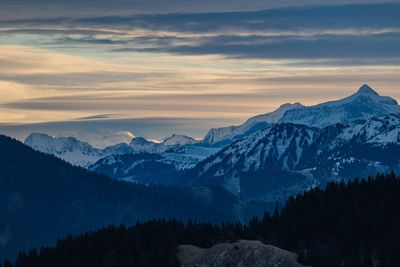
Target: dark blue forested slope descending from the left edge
{"type": "Point", "coordinates": [43, 198]}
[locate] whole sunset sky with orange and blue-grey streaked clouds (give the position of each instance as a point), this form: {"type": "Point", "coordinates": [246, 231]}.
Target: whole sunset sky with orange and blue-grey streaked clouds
{"type": "Point", "coordinates": [159, 67]}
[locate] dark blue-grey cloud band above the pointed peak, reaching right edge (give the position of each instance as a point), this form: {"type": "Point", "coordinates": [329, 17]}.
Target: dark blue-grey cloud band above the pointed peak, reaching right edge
{"type": "Point", "coordinates": [378, 48]}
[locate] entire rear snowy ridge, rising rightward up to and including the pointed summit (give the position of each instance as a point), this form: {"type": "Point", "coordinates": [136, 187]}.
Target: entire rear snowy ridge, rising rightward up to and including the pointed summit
{"type": "Point", "coordinates": [363, 104]}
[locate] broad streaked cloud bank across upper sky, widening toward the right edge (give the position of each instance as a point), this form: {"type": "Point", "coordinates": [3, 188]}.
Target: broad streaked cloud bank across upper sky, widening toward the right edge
{"type": "Point", "coordinates": [364, 33]}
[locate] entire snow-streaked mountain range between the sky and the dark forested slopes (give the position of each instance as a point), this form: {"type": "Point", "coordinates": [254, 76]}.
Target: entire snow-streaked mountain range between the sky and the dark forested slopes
{"type": "Point", "coordinates": [269, 157]}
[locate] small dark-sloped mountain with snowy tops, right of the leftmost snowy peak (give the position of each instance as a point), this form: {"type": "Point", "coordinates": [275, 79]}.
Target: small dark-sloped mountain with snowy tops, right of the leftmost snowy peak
{"type": "Point", "coordinates": [154, 162]}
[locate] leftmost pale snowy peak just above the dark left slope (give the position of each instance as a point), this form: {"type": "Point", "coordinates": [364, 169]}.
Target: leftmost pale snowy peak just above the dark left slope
{"type": "Point", "coordinates": [73, 150]}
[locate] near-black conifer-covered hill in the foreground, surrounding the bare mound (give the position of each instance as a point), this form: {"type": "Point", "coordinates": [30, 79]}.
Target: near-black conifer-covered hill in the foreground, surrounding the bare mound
{"type": "Point", "coordinates": [353, 224]}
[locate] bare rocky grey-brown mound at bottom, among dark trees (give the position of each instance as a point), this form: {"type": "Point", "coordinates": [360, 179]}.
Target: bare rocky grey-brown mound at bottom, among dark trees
{"type": "Point", "coordinates": [243, 253]}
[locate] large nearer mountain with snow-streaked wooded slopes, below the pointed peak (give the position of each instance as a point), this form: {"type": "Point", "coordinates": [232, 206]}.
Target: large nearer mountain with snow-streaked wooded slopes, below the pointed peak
{"type": "Point", "coordinates": [288, 158]}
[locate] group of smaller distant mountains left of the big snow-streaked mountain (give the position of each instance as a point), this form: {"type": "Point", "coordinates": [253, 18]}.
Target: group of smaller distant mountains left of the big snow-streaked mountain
{"type": "Point", "coordinates": [131, 163]}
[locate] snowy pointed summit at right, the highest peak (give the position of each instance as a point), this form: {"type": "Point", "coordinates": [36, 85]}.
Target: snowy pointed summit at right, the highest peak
{"type": "Point", "coordinates": [364, 104]}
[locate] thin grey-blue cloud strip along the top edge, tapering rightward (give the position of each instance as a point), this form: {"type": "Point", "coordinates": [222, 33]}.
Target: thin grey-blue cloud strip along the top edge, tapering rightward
{"type": "Point", "coordinates": [12, 9]}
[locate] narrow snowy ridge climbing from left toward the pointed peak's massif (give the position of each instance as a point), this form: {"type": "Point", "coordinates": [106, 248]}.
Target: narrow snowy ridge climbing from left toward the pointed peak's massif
{"type": "Point", "coordinates": [229, 134]}
